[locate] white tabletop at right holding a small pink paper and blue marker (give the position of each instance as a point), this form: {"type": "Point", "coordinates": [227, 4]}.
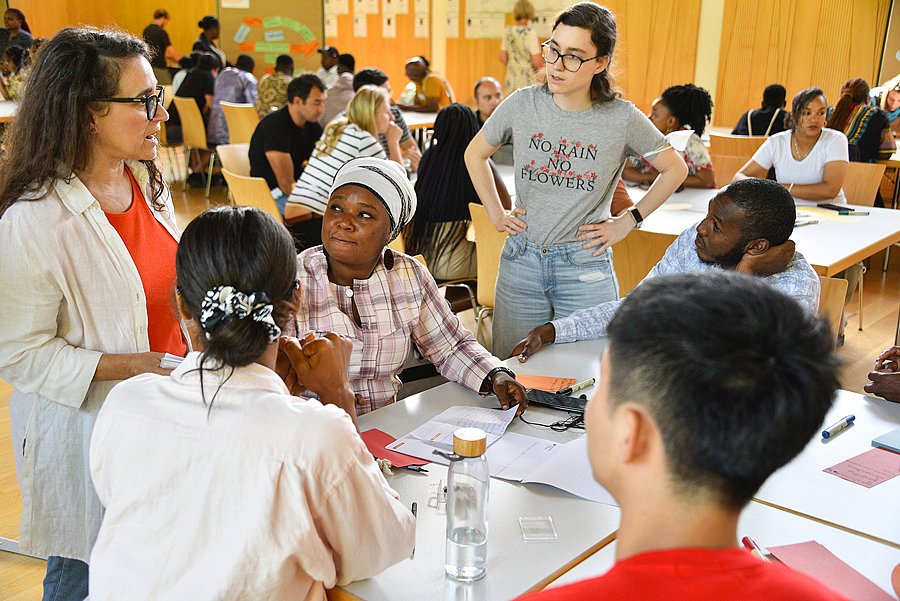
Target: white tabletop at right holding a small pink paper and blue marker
{"type": "Point", "coordinates": [803, 487]}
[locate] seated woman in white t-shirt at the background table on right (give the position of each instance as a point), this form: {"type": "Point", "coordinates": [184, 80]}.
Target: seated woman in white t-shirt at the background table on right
{"type": "Point", "coordinates": [810, 160]}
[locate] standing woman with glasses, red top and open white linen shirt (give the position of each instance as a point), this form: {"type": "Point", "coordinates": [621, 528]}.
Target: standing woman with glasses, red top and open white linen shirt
{"type": "Point", "coordinates": [88, 239]}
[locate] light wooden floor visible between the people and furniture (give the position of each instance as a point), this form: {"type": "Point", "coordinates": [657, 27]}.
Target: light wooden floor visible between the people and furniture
{"type": "Point", "coordinates": [20, 577]}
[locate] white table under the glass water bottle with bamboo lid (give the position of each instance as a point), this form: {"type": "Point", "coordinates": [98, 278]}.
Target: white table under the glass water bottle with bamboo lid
{"type": "Point", "coordinates": [514, 567]}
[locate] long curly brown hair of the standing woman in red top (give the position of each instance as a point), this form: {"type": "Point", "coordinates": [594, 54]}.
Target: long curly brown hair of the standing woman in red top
{"type": "Point", "coordinates": [50, 138]}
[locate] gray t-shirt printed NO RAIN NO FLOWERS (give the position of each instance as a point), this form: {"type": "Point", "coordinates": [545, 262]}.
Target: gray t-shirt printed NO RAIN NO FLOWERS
{"type": "Point", "coordinates": [567, 164]}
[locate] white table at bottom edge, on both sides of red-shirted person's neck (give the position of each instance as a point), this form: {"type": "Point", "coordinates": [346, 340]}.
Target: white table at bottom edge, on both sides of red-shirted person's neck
{"type": "Point", "coordinates": [772, 527]}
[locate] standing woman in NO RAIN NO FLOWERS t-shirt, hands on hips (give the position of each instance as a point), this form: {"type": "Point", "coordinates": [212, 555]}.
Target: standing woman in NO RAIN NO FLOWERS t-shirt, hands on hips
{"type": "Point", "coordinates": [570, 139]}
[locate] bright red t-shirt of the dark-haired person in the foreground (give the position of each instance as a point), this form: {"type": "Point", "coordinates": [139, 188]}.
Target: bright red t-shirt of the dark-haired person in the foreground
{"type": "Point", "coordinates": [696, 574]}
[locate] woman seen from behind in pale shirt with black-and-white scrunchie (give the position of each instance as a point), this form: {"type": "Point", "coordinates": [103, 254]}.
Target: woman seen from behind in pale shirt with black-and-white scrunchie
{"type": "Point", "coordinates": [217, 483]}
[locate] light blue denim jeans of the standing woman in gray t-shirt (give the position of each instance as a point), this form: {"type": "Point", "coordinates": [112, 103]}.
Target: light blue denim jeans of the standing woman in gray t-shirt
{"type": "Point", "coordinates": [537, 284]}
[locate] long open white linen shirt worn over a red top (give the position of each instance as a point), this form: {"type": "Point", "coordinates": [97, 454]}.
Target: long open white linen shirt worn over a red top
{"type": "Point", "coordinates": [69, 292]}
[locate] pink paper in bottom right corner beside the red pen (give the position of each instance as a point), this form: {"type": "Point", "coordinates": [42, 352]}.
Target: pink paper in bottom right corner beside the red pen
{"type": "Point", "coordinates": [813, 559]}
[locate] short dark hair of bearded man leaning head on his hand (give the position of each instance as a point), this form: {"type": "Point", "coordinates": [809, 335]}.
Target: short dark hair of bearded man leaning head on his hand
{"type": "Point", "coordinates": [769, 210]}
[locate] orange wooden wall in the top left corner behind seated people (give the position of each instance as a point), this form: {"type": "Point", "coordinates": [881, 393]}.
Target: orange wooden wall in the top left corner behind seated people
{"type": "Point", "coordinates": [47, 16]}
